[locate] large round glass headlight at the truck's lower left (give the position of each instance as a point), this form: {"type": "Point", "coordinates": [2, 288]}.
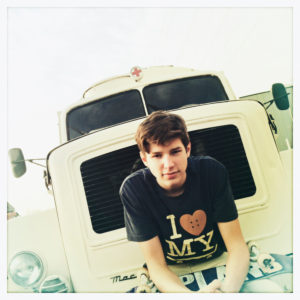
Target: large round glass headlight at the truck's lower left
{"type": "Point", "coordinates": [26, 269]}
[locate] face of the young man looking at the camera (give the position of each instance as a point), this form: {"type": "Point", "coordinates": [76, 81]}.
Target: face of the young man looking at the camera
{"type": "Point", "coordinates": [168, 164]}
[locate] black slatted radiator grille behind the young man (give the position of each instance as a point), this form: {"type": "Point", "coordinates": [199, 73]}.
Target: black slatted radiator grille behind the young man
{"type": "Point", "coordinates": [103, 175]}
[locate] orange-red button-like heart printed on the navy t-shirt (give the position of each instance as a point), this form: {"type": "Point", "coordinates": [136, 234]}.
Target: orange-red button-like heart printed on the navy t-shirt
{"type": "Point", "coordinates": [194, 224]}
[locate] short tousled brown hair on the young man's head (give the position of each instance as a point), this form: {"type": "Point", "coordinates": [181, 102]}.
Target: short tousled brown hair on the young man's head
{"type": "Point", "coordinates": [159, 128]}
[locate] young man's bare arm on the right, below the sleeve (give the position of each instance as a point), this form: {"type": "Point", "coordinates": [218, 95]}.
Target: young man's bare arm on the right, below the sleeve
{"type": "Point", "coordinates": [237, 264]}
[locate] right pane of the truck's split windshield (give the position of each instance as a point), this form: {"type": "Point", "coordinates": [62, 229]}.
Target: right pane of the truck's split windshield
{"type": "Point", "coordinates": [182, 92]}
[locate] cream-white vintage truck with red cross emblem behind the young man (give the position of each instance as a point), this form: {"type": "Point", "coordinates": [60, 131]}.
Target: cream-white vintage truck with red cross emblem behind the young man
{"type": "Point", "coordinates": [81, 245]}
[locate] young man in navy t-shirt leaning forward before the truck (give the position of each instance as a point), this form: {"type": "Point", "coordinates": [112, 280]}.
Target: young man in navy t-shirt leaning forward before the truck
{"type": "Point", "coordinates": [180, 208]}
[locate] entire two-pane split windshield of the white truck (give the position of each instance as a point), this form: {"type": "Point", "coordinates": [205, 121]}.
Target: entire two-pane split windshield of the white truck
{"type": "Point", "coordinates": [128, 105]}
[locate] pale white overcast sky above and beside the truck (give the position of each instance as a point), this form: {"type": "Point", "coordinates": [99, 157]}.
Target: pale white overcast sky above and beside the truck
{"type": "Point", "coordinates": [55, 54]}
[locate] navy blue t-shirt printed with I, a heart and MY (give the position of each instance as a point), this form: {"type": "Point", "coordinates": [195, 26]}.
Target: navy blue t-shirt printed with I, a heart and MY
{"type": "Point", "coordinates": [187, 224]}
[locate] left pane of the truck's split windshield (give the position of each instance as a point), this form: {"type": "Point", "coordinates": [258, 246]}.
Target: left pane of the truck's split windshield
{"type": "Point", "coordinates": [104, 112]}
